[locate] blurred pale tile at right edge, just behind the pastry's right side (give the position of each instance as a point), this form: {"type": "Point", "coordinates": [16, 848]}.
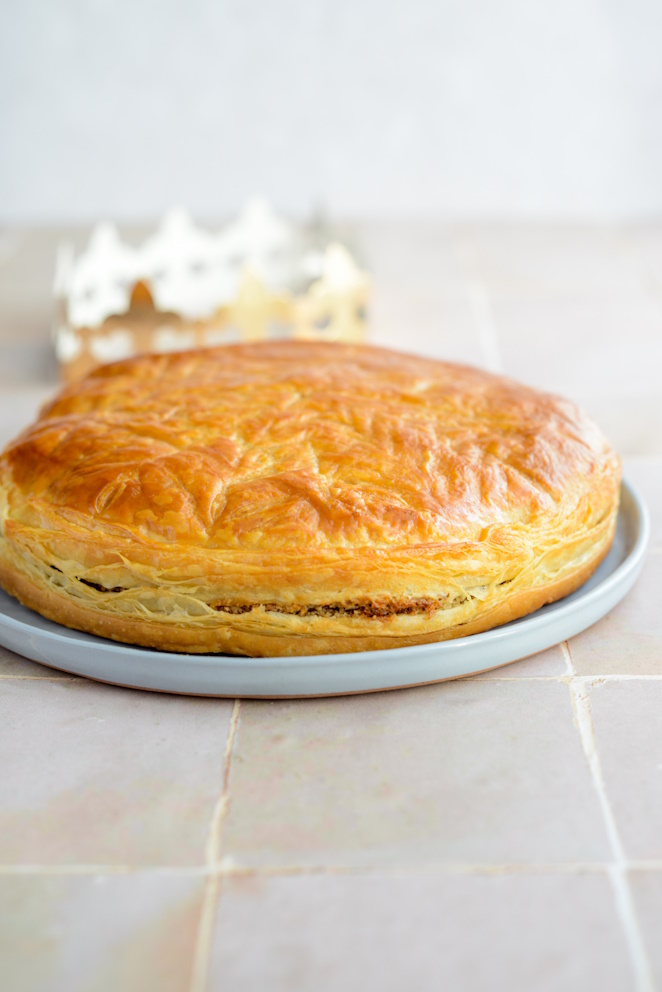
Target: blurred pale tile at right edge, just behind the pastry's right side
{"type": "Point", "coordinates": [580, 346]}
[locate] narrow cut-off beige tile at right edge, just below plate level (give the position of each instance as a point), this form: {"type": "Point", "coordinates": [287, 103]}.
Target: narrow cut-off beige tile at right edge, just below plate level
{"type": "Point", "coordinates": [628, 730]}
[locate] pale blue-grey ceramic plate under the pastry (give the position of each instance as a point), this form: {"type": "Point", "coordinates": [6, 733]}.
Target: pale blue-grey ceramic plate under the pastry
{"type": "Point", "coordinates": [31, 635]}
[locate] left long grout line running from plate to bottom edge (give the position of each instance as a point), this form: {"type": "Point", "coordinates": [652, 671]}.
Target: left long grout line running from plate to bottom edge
{"type": "Point", "coordinates": [202, 954]}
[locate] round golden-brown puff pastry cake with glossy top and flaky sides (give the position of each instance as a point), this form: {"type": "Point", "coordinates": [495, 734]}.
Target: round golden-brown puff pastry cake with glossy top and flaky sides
{"type": "Point", "coordinates": [299, 498]}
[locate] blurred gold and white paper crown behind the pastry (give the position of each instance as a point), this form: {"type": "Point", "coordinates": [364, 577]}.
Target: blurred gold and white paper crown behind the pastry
{"type": "Point", "coordinates": [184, 286]}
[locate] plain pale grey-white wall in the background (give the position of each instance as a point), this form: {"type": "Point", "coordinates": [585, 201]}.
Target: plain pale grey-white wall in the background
{"type": "Point", "coordinates": [457, 108]}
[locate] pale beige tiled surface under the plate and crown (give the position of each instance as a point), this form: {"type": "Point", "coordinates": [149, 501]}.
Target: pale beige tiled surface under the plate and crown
{"type": "Point", "coordinates": [502, 832]}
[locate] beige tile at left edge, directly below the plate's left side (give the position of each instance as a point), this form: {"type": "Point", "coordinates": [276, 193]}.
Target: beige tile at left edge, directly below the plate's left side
{"type": "Point", "coordinates": [99, 775]}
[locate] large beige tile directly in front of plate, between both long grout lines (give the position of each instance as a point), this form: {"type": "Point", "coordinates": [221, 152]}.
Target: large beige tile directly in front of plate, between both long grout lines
{"type": "Point", "coordinates": [469, 771]}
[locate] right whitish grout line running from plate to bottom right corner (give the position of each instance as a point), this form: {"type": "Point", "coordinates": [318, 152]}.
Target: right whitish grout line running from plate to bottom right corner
{"type": "Point", "coordinates": [617, 870]}
